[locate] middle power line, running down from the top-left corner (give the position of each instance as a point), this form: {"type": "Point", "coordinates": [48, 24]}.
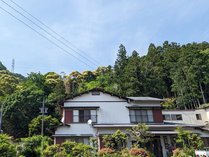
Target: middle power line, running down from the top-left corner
{"type": "Point", "coordinates": [45, 30]}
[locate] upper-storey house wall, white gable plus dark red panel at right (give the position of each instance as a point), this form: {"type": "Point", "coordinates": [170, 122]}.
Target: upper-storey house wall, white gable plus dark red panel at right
{"type": "Point", "coordinates": [112, 110]}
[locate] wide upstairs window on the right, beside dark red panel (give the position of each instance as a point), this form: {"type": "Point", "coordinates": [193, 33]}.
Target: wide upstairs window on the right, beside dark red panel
{"type": "Point", "coordinates": [137, 116]}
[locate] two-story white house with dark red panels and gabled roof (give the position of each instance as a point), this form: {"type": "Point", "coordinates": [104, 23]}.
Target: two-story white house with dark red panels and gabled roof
{"type": "Point", "coordinates": [96, 112]}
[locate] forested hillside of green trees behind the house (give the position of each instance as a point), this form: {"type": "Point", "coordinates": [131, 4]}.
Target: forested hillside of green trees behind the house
{"type": "Point", "coordinates": [174, 71]}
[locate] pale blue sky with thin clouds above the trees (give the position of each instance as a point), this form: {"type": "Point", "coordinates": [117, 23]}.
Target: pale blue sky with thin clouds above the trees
{"type": "Point", "coordinates": [97, 27]}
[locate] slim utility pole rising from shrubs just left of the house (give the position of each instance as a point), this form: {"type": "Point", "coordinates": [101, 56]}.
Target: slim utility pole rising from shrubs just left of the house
{"type": "Point", "coordinates": [43, 111]}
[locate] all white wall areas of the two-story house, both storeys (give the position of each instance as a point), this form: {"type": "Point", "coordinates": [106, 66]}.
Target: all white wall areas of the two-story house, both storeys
{"type": "Point", "coordinates": [112, 110]}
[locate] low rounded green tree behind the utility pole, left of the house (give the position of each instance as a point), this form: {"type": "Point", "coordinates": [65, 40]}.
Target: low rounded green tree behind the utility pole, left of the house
{"type": "Point", "coordinates": [49, 124]}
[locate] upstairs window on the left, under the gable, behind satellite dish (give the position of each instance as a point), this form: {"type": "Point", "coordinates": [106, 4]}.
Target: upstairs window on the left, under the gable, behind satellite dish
{"type": "Point", "coordinates": [83, 115]}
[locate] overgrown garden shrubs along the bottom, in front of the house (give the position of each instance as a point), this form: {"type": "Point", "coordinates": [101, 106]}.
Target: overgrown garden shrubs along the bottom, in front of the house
{"type": "Point", "coordinates": [115, 145]}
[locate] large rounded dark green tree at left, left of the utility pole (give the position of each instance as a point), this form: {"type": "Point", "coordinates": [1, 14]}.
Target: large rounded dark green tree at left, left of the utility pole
{"type": "Point", "coordinates": [20, 108]}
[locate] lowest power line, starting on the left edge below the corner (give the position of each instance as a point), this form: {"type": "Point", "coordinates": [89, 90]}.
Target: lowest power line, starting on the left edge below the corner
{"type": "Point", "coordinates": [54, 43]}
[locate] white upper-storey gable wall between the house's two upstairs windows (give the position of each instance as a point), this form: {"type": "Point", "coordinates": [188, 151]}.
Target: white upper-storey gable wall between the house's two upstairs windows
{"type": "Point", "coordinates": [111, 109]}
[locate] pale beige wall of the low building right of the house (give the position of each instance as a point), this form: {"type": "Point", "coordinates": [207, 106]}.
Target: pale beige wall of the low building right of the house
{"type": "Point", "coordinates": [188, 116]}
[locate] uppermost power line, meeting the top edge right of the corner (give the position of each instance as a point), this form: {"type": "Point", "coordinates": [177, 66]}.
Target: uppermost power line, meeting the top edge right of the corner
{"type": "Point", "coordinates": [64, 39]}
